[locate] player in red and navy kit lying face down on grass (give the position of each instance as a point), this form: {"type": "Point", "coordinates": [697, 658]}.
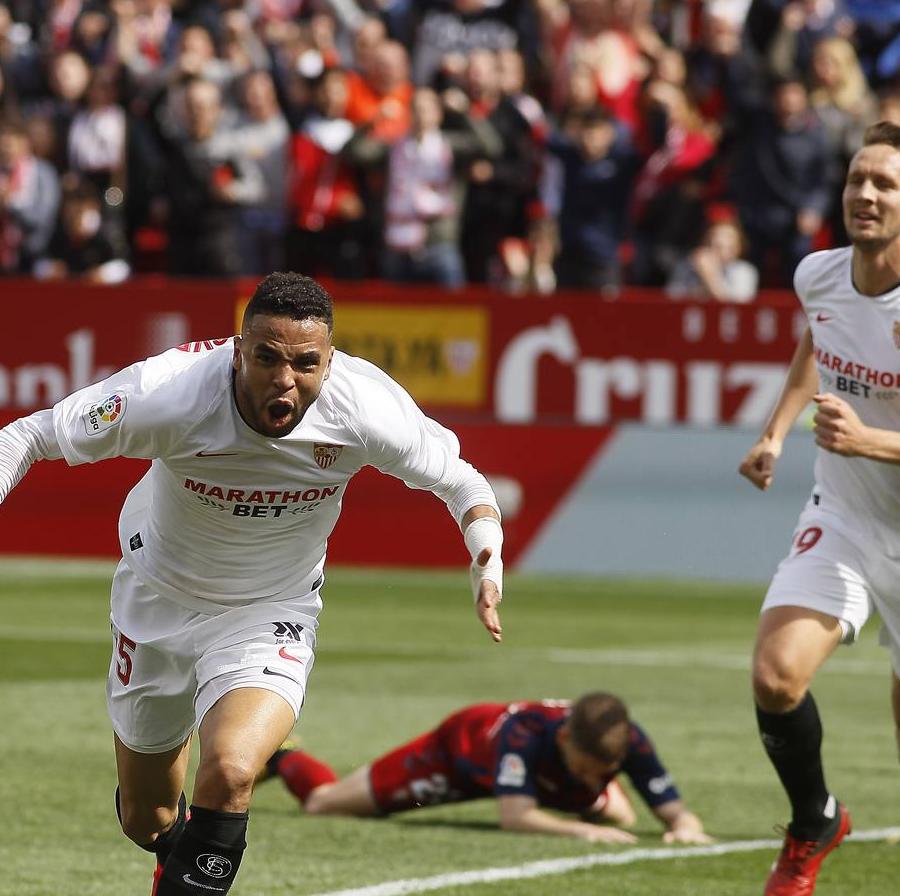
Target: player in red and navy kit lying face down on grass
{"type": "Point", "coordinates": [548, 753]}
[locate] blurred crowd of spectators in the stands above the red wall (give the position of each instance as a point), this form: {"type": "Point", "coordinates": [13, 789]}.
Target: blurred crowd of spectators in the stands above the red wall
{"type": "Point", "coordinates": [693, 145]}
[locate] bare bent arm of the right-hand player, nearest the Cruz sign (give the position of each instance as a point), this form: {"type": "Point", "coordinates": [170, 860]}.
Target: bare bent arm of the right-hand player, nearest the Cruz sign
{"type": "Point", "coordinates": [800, 385]}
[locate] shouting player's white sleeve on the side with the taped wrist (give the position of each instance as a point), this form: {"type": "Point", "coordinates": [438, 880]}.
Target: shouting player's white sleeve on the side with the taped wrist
{"type": "Point", "coordinates": [404, 443]}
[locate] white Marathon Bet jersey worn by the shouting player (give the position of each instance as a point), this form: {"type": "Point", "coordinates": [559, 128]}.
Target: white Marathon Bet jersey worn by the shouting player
{"type": "Point", "coordinates": [226, 515]}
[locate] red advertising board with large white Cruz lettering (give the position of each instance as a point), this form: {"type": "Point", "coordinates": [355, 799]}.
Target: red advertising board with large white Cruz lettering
{"type": "Point", "coordinates": [656, 362]}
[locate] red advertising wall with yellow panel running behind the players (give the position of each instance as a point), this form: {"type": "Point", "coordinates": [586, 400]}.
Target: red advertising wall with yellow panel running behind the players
{"type": "Point", "coordinates": [533, 387]}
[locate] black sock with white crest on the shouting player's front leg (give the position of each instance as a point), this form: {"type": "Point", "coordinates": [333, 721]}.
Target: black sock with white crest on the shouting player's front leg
{"type": "Point", "coordinates": [207, 855]}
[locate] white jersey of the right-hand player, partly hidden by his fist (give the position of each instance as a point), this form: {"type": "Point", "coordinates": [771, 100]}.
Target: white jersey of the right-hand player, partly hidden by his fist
{"type": "Point", "coordinates": [856, 341]}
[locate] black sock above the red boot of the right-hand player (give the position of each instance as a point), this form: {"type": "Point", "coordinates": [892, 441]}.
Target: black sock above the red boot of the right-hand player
{"type": "Point", "coordinates": [793, 741]}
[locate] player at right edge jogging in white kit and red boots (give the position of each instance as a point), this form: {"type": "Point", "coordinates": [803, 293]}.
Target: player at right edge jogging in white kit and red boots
{"type": "Point", "coordinates": [844, 553]}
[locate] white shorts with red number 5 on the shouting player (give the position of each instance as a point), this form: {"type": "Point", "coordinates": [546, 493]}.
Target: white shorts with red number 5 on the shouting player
{"type": "Point", "coordinates": [170, 664]}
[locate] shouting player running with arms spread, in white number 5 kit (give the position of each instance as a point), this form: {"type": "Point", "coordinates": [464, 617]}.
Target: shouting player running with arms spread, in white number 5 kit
{"type": "Point", "coordinates": [215, 601]}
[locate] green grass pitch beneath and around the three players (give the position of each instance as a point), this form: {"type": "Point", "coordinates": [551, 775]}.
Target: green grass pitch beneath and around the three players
{"type": "Point", "coordinates": [397, 651]}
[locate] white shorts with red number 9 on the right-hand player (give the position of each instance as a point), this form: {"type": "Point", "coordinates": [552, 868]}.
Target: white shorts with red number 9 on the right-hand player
{"type": "Point", "coordinates": [838, 564]}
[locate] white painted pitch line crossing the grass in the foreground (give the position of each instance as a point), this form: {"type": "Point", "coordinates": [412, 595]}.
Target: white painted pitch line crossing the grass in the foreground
{"type": "Point", "coordinates": [563, 866]}
